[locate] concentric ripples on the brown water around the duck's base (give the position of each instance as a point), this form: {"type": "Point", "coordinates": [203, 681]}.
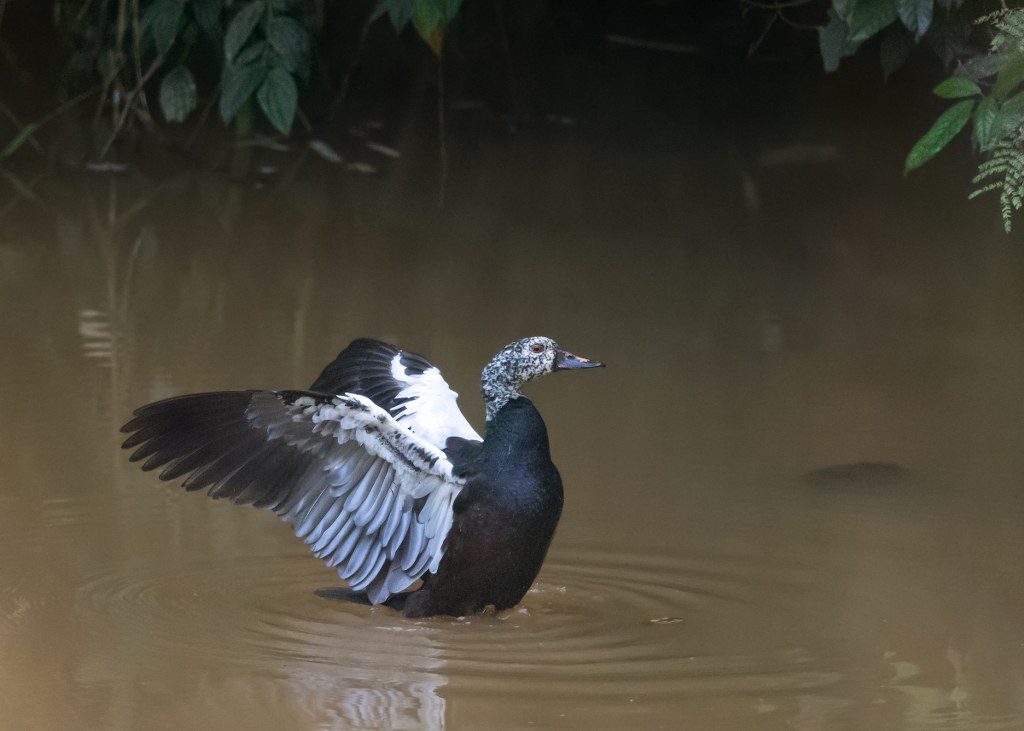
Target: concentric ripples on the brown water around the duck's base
{"type": "Point", "coordinates": [595, 623]}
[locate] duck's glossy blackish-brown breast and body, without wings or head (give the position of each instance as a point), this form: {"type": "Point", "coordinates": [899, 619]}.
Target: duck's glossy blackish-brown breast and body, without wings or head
{"type": "Point", "coordinates": [504, 519]}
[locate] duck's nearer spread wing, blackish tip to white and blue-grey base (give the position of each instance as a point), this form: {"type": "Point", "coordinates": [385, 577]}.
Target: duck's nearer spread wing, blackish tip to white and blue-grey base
{"type": "Point", "coordinates": [369, 497]}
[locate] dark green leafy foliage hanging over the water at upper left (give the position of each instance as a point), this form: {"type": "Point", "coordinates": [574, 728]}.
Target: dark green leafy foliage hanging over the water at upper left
{"type": "Point", "coordinates": [154, 64]}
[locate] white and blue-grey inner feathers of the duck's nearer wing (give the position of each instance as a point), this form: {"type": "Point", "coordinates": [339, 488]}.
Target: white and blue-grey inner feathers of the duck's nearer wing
{"type": "Point", "coordinates": [378, 504]}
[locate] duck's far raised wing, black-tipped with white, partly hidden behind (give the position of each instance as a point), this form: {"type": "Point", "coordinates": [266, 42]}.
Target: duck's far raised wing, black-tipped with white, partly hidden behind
{"type": "Point", "coordinates": [405, 384]}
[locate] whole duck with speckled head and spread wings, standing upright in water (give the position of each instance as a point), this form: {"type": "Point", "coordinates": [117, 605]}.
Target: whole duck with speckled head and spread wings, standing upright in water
{"type": "Point", "coordinates": [379, 472]}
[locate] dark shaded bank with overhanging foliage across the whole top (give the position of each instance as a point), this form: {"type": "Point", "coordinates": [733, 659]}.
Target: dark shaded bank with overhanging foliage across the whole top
{"type": "Point", "coordinates": [170, 69]}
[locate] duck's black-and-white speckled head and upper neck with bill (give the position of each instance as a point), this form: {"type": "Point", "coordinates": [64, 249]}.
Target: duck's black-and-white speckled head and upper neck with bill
{"type": "Point", "coordinates": [522, 362]}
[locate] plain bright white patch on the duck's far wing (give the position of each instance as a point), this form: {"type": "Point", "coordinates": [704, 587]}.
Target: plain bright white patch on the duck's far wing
{"type": "Point", "coordinates": [433, 412]}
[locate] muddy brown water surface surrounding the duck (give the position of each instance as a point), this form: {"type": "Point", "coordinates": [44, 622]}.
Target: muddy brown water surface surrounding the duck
{"type": "Point", "coordinates": [717, 567]}
